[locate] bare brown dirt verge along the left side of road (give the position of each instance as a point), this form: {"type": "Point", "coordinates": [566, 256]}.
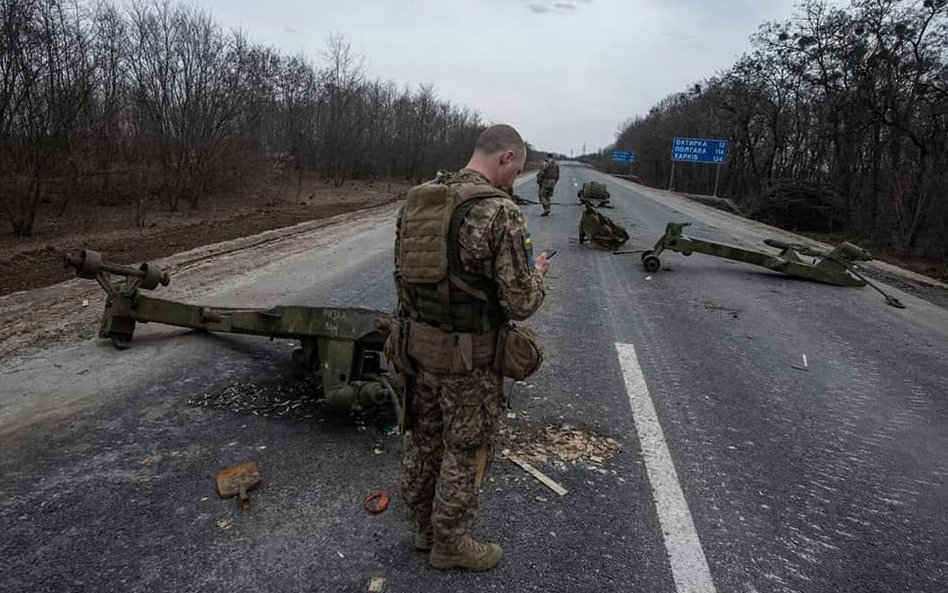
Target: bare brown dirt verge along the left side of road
{"type": "Point", "coordinates": [43, 304]}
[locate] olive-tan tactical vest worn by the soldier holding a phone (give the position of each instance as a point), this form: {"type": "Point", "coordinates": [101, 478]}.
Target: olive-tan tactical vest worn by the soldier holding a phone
{"type": "Point", "coordinates": [432, 286]}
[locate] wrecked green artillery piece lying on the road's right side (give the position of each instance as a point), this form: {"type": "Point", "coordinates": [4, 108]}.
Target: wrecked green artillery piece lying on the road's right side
{"type": "Point", "coordinates": [835, 267]}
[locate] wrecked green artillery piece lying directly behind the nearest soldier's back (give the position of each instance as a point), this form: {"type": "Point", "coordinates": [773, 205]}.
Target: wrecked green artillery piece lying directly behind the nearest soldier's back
{"type": "Point", "coordinates": [342, 347]}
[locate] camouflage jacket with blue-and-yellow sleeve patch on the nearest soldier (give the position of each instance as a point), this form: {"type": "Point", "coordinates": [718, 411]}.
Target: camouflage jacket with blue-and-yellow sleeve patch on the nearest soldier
{"type": "Point", "coordinates": [494, 243]}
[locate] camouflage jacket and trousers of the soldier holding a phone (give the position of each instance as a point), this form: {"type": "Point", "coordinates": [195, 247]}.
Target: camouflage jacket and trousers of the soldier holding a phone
{"type": "Point", "coordinates": [454, 416]}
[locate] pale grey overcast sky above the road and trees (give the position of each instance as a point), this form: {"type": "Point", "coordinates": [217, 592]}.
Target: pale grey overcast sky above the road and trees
{"type": "Point", "coordinates": [564, 72]}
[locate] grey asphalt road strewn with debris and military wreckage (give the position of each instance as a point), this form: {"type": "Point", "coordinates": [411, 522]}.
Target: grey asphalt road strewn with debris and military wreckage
{"type": "Point", "coordinates": [772, 434]}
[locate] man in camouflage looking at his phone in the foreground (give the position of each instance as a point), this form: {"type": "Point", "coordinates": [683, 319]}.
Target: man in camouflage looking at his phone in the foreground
{"type": "Point", "coordinates": [463, 268]}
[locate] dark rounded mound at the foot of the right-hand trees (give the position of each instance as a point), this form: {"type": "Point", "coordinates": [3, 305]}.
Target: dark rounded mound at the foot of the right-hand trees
{"type": "Point", "coordinates": [802, 206]}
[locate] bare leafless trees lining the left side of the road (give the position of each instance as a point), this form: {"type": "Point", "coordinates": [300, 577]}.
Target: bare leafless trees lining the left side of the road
{"type": "Point", "coordinates": [156, 103]}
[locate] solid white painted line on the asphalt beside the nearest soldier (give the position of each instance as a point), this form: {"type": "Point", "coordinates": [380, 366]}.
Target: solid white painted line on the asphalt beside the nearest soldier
{"type": "Point", "coordinates": [688, 563]}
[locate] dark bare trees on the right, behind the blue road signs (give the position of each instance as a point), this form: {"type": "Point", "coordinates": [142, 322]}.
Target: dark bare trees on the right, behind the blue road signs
{"type": "Point", "coordinates": [840, 112]}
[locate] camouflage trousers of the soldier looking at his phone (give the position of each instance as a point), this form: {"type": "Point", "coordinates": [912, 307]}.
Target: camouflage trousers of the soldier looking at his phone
{"type": "Point", "coordinates": [453, 416]}
